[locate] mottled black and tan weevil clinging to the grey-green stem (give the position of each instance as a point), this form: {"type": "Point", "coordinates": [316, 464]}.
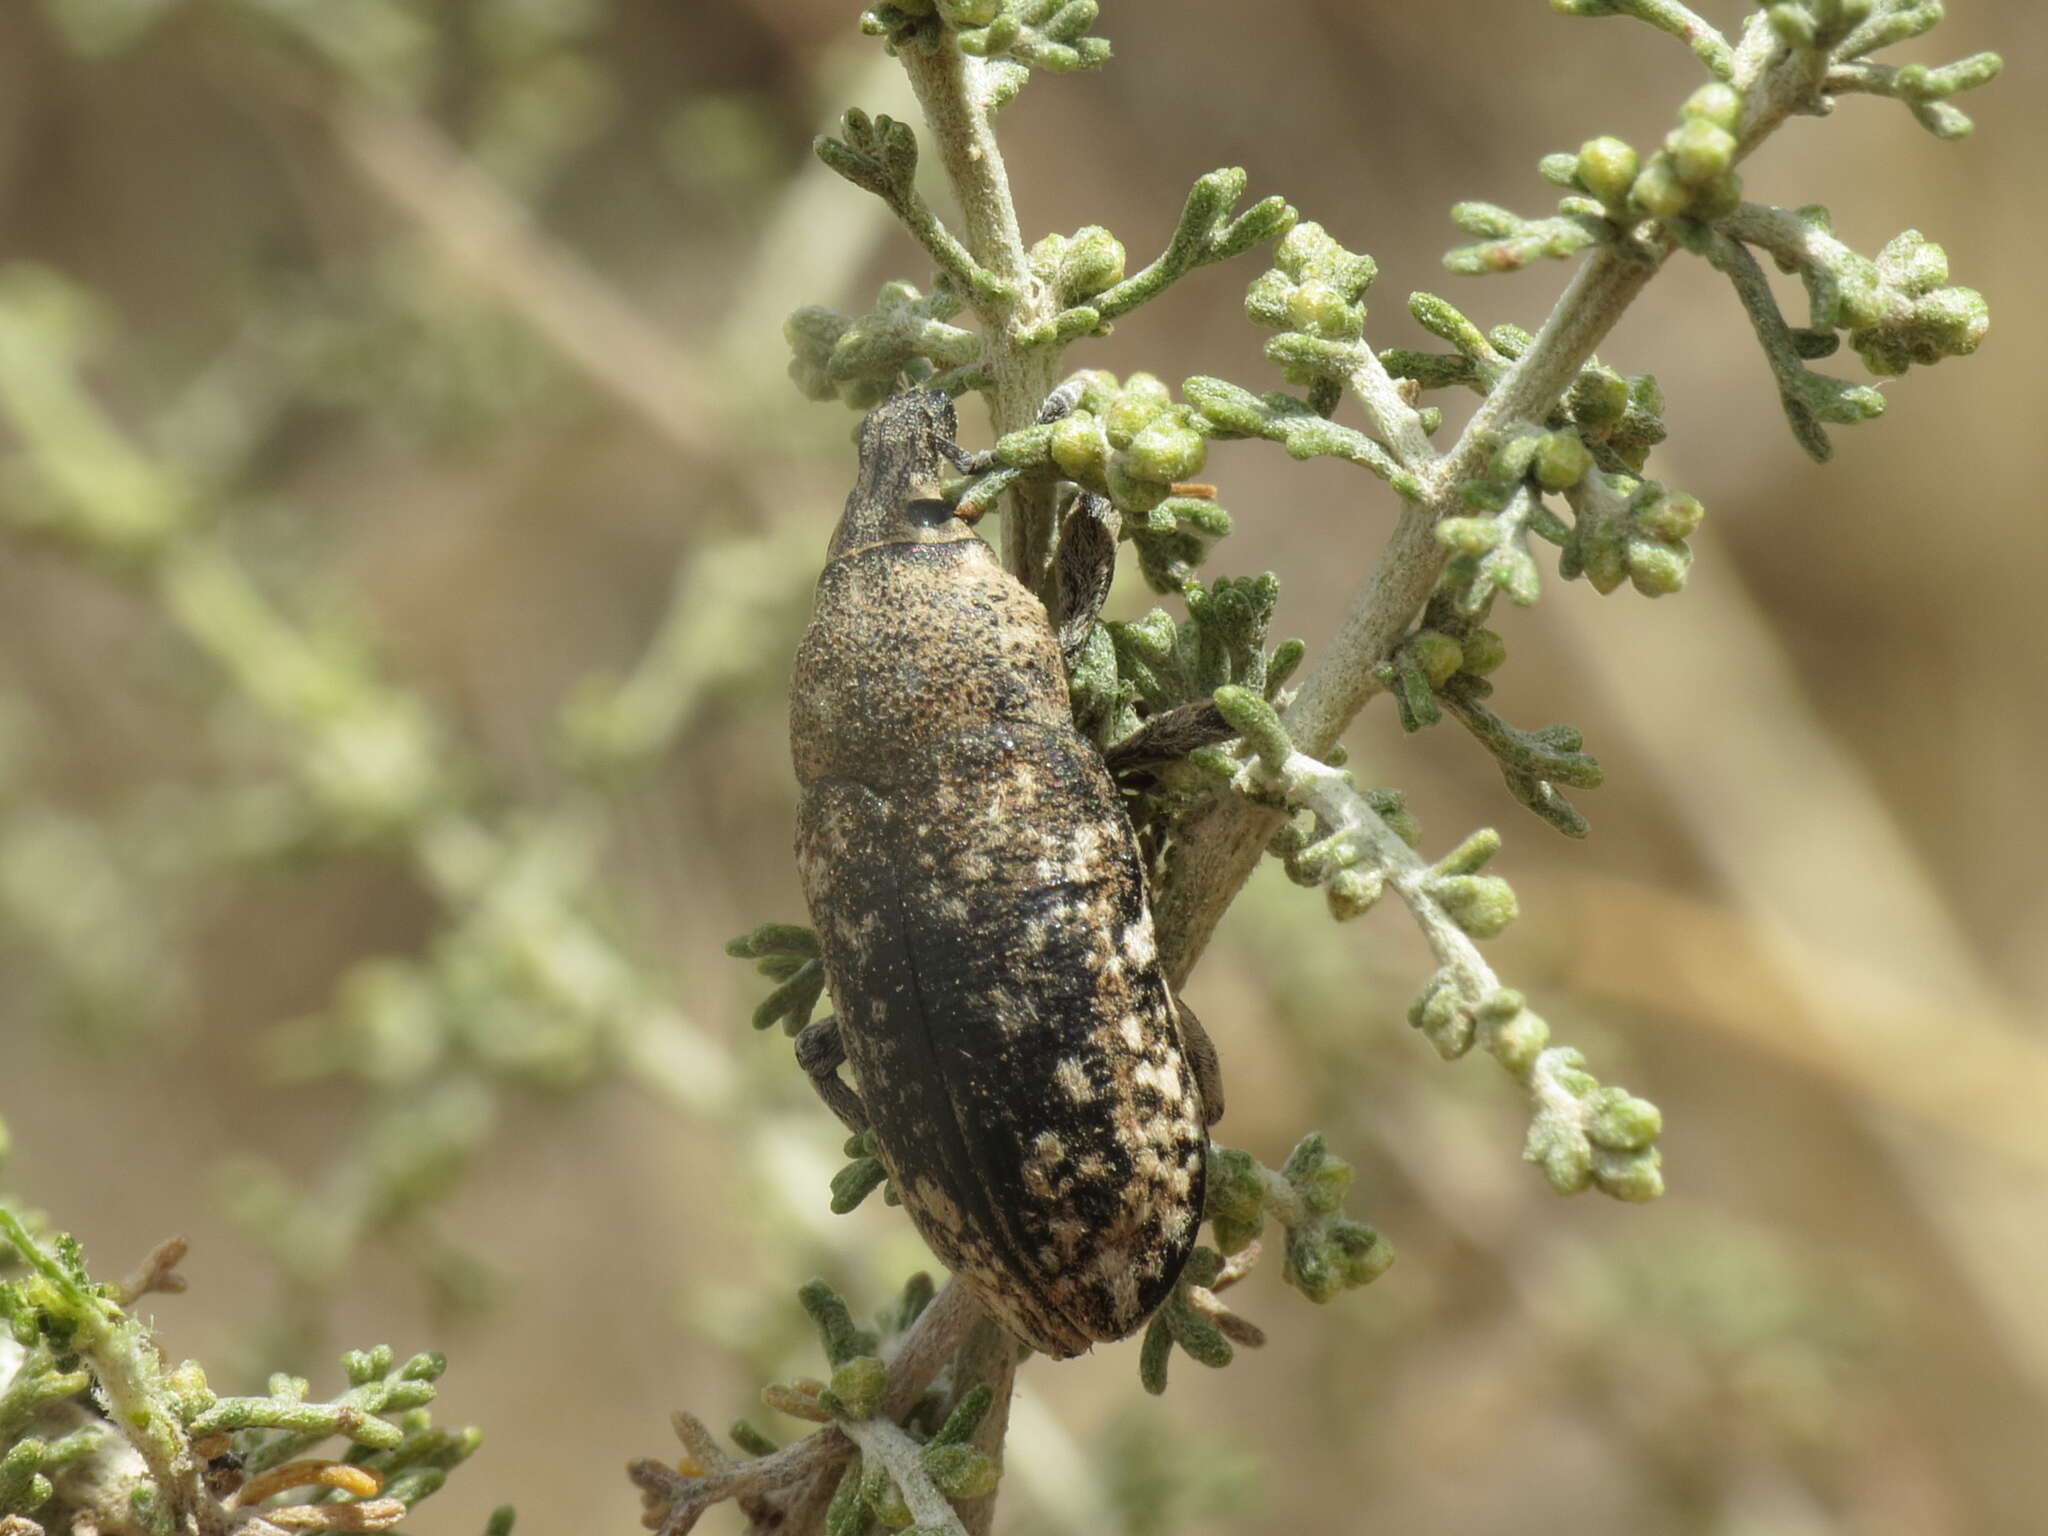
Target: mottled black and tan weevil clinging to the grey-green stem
{"type": "Point", "coordinates": [1039, 1097]}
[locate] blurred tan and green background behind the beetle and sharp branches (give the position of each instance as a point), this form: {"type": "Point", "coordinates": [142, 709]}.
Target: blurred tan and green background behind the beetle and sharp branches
{"type": "Point", "coordinates": [404, 529]}
